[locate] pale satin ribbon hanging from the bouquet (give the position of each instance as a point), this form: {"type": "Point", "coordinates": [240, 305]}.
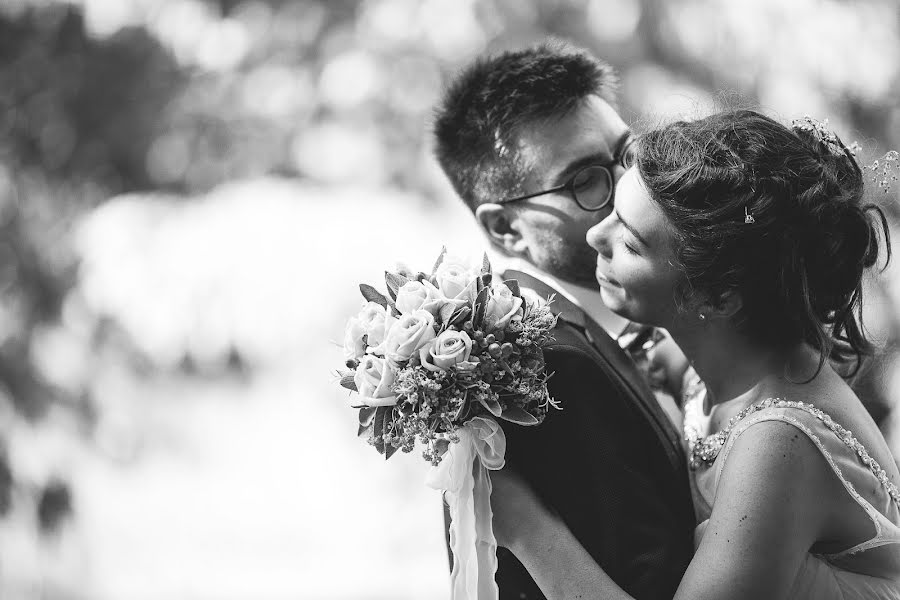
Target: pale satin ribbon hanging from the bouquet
{"type": "Point", "coordinates": [463, 475]}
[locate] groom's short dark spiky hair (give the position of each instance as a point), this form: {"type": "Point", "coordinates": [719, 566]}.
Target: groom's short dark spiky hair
{"type": "Point", "coordinates": [485, 107]}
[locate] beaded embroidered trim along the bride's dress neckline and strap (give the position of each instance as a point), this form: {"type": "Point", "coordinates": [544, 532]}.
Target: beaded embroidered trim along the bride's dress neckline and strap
{"type": "Point", "coordinates": [704, 450]}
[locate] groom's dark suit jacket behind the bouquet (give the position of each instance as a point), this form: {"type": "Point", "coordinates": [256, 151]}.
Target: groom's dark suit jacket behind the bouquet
{"type": "Point", "coordinates": [610, 463]}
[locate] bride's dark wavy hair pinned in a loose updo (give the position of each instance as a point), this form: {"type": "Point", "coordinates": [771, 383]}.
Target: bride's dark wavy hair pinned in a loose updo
{"type": "Point", "coordinates": [775, 214]}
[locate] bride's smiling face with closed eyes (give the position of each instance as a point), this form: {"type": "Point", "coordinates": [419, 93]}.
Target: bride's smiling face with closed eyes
{"type": "Point", "coordinates": [635, 262]}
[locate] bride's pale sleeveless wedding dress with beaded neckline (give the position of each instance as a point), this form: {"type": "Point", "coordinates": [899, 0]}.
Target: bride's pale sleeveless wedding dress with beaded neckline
{"type": "Point", "coordinates": [870, 570]}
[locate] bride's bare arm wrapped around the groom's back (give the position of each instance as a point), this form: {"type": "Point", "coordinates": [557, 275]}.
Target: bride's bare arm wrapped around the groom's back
{"type": "Point", "coordinates": [773, 500]}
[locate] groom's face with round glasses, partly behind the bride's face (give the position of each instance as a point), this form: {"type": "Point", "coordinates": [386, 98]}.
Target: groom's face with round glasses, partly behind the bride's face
{"type": "Point", "coordinates": [553, 226]}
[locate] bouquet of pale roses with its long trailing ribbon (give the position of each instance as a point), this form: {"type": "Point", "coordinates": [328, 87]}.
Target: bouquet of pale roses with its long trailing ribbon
{"type": "Point", "coordinates": [439, 360]}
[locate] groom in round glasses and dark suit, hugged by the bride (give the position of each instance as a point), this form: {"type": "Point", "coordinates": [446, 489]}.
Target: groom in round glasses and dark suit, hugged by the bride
{"type": "Point", "coordinates": [533, 145]}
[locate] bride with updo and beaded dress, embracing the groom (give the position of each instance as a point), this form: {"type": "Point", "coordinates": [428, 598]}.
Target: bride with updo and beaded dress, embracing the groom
{"type": "Point", "coordinates": [748, 241]}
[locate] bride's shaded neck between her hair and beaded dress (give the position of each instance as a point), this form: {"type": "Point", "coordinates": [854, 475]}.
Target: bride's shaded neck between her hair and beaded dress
{"type": "Point", "coordinates": [728, 363]}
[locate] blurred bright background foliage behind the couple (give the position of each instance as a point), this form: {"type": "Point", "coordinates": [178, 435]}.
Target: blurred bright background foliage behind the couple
{"type": "Point", "coordinates": [182, 181]}
